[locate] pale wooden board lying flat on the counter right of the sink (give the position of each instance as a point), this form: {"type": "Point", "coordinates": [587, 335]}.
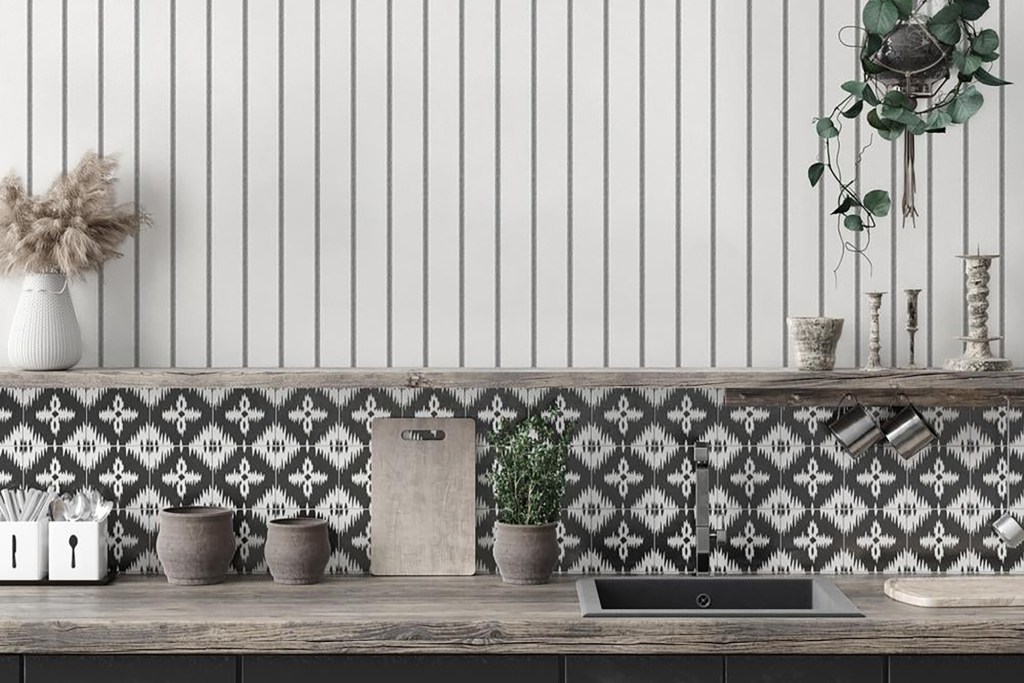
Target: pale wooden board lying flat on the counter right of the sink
{"type": "Point", "coordinates": [957, 592]}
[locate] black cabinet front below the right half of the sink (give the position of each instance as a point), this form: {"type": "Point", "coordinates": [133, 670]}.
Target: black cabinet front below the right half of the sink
{"type": "Point", "coordinates": [801, 669]}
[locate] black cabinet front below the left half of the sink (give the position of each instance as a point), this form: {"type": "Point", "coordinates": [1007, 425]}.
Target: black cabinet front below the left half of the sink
{"type": "Point", "coordinates": [644, 669]}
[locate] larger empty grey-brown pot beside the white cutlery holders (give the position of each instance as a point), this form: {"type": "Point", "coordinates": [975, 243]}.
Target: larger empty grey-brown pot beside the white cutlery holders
{"type": "Point", "coordinates": [196, 545]}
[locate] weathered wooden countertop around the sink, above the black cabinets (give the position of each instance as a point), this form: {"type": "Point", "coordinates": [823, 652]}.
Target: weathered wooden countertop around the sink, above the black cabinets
{"type": "Point", "coordinates": [456, 616]}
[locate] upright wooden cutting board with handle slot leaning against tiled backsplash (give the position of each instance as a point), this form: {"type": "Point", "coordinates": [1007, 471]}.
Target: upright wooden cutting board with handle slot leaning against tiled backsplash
{"type": "Point", "coordinates": [423, 505]}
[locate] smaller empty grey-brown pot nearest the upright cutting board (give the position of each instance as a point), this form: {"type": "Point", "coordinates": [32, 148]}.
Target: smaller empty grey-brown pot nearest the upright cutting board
{"type": "Point", "coordinates": [297, 550]}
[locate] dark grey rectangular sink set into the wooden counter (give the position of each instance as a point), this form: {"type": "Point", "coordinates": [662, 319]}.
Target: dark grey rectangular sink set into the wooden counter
{"type": "Point", "coordinates": [713, 597]}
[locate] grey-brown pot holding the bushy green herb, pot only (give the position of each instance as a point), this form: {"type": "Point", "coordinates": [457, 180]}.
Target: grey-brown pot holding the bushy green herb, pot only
{"type": "Point", "coordinates": [526, 554]}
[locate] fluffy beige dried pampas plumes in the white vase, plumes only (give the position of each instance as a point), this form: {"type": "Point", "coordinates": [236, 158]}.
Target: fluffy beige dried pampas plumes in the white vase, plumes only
{"type": "Point", "coordinates": [75, 228]}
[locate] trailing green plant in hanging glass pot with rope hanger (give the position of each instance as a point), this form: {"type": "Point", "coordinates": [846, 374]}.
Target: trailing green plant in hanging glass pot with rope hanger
{"type": "Point", "coordinates": [920, 78]}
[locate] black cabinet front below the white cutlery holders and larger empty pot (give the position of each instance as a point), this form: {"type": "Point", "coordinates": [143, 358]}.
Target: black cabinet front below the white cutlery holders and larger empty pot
{"type": "Point", "coordinates": [130, 669]}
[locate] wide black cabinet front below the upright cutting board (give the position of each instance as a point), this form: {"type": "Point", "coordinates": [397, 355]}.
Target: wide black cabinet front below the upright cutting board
{"type": "Point", "coordinates": [400, 669]}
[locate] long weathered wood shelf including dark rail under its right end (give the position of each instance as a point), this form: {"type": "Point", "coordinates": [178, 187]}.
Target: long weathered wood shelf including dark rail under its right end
{"type": "Point", "coordinates": [774, 387]}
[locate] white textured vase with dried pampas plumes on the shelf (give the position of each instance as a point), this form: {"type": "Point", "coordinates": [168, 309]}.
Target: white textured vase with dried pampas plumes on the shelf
{"type": "Point", "coordinates": [75, 228]}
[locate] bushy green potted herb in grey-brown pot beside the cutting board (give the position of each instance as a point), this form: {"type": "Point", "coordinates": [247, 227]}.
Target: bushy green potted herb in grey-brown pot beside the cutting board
{"type": "Point", "coordinates": [529, 482]}
